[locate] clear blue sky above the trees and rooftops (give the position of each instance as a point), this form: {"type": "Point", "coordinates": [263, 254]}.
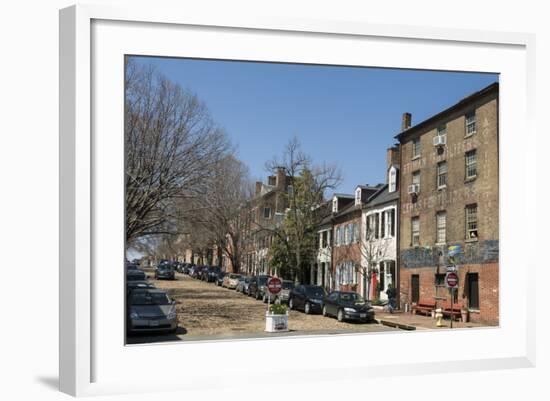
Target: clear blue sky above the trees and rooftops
{"type": "Point", "coordinates": [343, 115]}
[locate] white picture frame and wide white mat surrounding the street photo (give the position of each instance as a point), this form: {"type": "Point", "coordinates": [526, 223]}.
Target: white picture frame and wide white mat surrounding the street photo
{"type": "Point", "coordinates": [93, 357]}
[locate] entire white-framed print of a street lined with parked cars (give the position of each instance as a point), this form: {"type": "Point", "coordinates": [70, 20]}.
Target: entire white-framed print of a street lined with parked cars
{"type": "Point", "coordinates": [350, 195]}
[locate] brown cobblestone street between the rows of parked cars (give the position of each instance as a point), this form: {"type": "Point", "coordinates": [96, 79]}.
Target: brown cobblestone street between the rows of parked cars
{"type": "Point", "coordinates": [208, 312]}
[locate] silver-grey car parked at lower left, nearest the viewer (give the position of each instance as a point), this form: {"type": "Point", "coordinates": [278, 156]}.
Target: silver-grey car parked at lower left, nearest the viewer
{"type": "Point", "coordinates": [151, 310]}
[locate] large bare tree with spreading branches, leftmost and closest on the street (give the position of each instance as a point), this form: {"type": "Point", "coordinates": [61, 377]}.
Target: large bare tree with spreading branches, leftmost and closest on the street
{"type": "Point", "coordinates": [172, 148]}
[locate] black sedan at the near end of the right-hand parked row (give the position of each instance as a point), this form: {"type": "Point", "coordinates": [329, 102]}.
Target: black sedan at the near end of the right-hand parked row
{"type": "Point", "coordinates": [348, 306]}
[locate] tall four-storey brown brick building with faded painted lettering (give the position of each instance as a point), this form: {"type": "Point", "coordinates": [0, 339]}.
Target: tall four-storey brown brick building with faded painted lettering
{"type": "Point", "coordinates": [449, 196]}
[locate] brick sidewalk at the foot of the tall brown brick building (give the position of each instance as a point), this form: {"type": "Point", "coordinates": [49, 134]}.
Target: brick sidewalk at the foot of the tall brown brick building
{"type": "Point", "coordinates": [419, 322]}
